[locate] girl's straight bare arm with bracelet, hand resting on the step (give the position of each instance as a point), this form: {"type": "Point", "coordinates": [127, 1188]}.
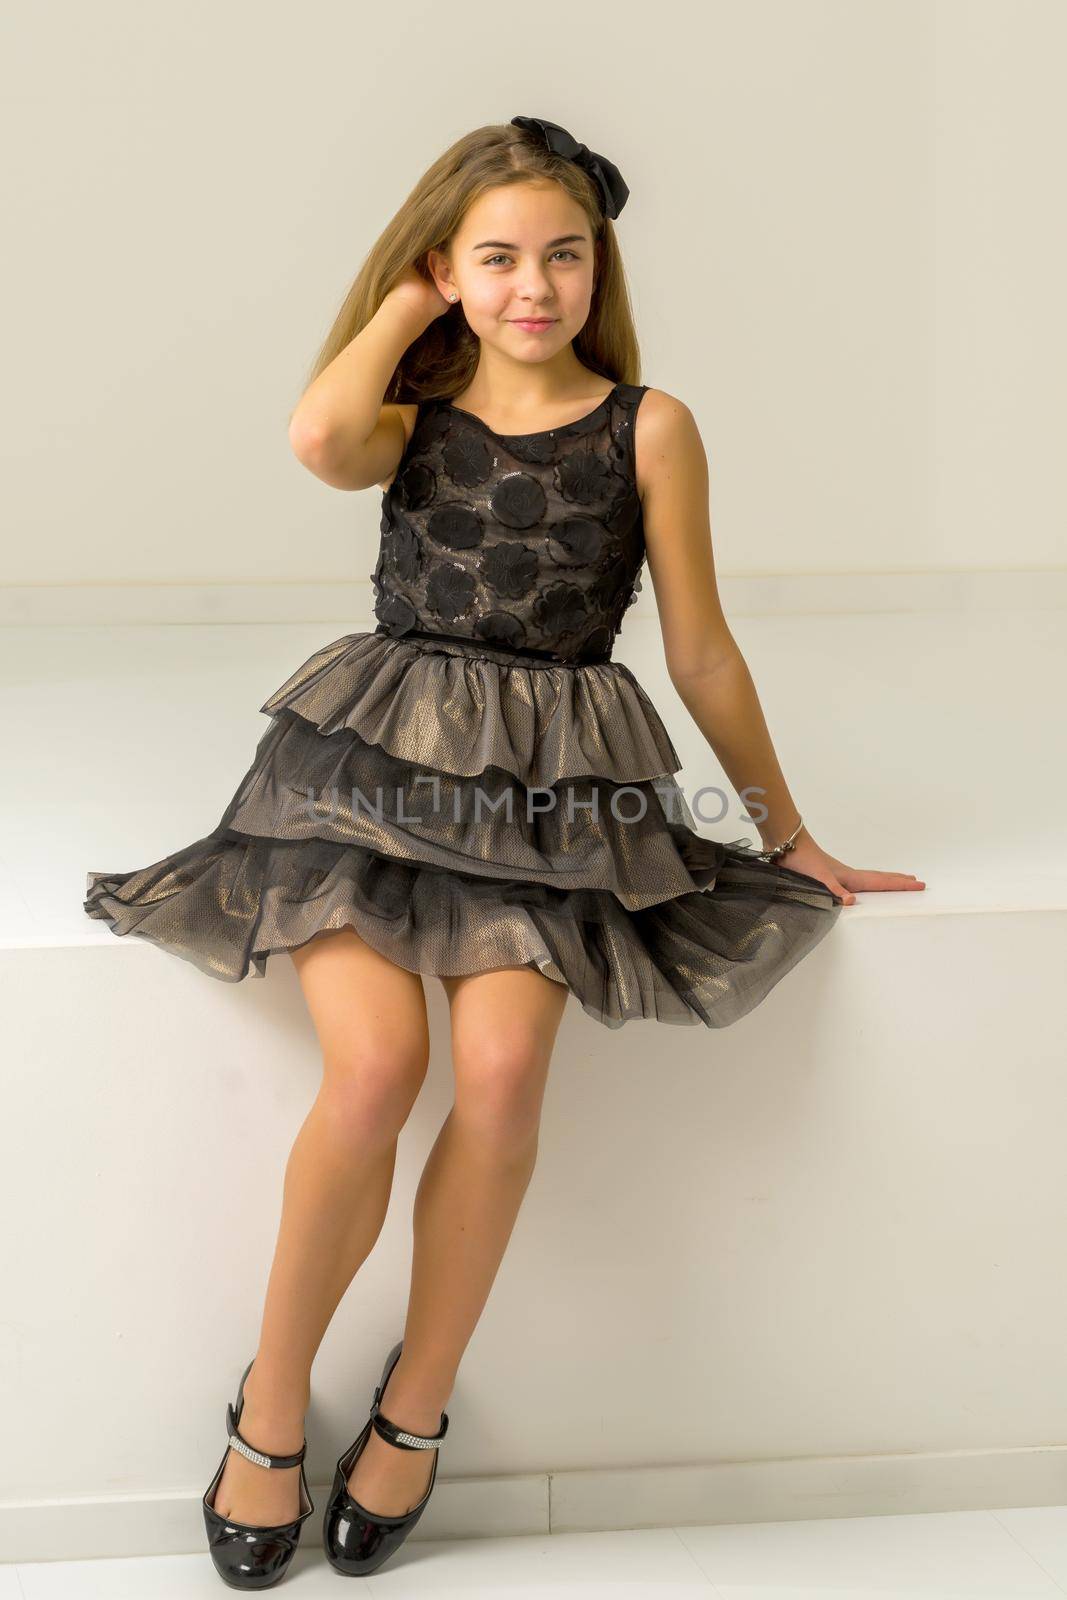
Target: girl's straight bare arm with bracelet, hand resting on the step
{"type": "Point", "coordinates": [703, 658]}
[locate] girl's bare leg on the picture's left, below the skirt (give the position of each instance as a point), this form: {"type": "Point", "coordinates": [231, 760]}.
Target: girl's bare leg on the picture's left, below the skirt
{"type": "Point", "coordinates": [370, 1017]}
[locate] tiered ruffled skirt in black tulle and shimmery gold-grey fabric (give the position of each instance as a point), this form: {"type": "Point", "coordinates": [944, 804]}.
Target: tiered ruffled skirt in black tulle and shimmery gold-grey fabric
{"type": "Point", "coordinates": [466, 809]}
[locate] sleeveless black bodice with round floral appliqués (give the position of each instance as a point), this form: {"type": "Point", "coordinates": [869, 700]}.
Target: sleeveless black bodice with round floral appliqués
{"type": "Point", "coordinates": [526, 542]}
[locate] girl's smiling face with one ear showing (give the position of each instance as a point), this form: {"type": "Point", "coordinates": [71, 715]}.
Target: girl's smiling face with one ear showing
{"type": "Point", "coordinates": [522, 252]}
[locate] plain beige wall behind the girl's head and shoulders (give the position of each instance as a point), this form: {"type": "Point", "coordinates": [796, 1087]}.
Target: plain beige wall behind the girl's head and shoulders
{"type": "Point", "coordinates": [844, 247]}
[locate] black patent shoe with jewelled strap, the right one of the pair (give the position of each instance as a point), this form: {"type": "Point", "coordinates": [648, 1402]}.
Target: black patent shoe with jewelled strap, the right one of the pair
{"type": "Point", "coordinates": [358, 1540]}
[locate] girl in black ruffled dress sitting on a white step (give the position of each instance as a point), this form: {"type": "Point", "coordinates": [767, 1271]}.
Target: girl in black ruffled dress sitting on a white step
{"type": "Point", "coordinates": [476, 791]}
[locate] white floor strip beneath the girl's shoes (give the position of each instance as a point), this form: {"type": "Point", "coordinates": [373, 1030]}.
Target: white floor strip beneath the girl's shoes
{"type": "Point", "coordinates": [941, 1556]}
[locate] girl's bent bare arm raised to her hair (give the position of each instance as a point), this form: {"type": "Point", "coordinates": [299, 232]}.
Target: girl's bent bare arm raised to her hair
{"type": "Point", "coordinates": [340, 430]}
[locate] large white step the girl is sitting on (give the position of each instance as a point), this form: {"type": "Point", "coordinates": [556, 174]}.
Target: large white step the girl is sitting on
{"type": "Point", "coordinates": [805, 1266]}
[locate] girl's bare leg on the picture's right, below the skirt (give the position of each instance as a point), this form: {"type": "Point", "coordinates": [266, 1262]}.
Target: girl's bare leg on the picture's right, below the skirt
{"type": "Point", "coordinates": [505, 1026]}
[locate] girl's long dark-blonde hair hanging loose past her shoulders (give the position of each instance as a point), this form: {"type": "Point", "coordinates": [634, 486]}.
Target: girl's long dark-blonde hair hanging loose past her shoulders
{"type": "Point", "coordinates": [444, 359]}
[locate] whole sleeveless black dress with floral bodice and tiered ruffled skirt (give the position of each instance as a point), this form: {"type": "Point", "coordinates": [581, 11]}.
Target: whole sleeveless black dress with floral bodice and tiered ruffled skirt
{"type": "Point", "coordinates": [478, 783]}
